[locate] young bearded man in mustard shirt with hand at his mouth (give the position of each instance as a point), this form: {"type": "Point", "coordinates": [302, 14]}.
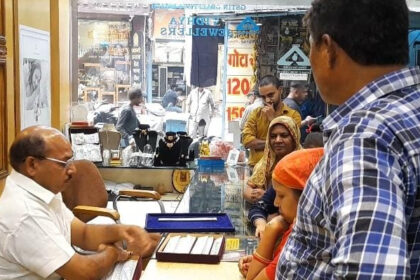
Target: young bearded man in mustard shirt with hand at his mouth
{"type": "Point", "coordinates": [256, 127]}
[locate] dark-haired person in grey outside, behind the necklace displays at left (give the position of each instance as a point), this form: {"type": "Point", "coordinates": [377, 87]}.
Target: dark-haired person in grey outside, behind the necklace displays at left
{"type": "Point", "coordinates": [128, 121]}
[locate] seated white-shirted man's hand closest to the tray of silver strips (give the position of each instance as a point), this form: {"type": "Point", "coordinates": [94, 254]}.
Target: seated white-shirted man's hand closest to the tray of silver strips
{"type": "Point", "coordinates": [140, 241]}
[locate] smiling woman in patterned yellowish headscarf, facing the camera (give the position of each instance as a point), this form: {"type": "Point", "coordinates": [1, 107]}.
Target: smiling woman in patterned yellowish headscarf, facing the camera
{"type": "Point", "coordinates": [283, 138]}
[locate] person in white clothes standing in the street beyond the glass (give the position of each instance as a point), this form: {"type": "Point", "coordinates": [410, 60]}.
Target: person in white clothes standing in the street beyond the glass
{"type": "Point", "coordinates": [200, 106]}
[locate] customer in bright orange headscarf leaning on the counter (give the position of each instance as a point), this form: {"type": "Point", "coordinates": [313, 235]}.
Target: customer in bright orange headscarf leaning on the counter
{"type": "Point", "coordinates": [289, 179]}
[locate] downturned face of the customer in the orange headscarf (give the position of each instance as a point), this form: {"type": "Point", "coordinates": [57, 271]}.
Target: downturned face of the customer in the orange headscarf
{"type": "Point", "coordinates": [286, 200]}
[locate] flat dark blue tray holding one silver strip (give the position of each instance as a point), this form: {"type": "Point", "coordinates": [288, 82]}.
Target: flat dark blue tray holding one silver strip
{"type": "Point", "coordinates": [223, 223]}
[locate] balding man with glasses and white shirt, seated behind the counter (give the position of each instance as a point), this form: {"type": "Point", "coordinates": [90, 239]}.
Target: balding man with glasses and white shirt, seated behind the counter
{"type": "Point", "coordinates": [36, 228]}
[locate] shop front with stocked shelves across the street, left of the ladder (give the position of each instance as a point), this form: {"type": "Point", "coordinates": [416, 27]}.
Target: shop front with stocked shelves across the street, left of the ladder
{"type": "Point", "coordinates": [103, 60]}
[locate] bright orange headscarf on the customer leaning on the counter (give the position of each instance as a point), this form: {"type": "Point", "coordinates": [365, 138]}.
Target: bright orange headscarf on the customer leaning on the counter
{"type": "Point", "coordinates": [293, 170]}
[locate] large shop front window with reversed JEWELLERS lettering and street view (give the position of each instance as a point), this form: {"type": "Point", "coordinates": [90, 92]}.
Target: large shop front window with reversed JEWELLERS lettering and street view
{"type": "Point", "coordinates": [171, 50]}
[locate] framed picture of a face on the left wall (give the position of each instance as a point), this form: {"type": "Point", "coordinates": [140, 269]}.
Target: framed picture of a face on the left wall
{"type": "Point", "coordinates": [35, 77]}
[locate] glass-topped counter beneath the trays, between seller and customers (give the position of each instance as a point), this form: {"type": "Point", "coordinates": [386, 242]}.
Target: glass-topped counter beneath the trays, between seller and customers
{"type": "Point", "coordinates": [213, 192]}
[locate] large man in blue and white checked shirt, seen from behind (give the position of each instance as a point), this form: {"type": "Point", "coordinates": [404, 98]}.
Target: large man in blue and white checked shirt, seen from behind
{"type": "Point", "coordinates": [359, 215]}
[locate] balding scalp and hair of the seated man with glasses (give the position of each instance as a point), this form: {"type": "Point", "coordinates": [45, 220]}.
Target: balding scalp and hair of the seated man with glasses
{"type": "Point", "coordinates": [32, 141]}
